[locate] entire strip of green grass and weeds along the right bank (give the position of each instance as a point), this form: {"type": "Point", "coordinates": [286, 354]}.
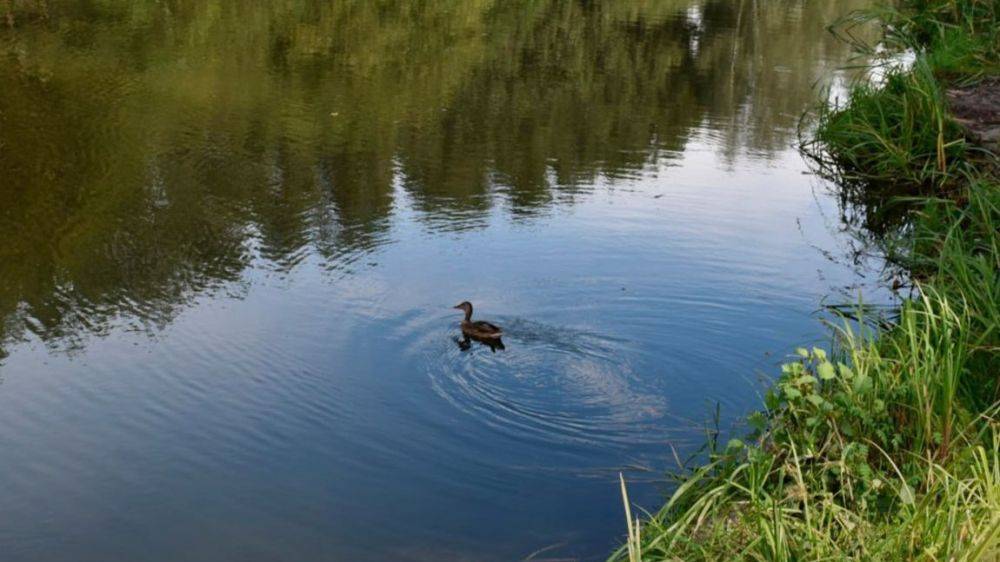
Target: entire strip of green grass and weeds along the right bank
{"type": "Point", "coordinates": [886, 447]}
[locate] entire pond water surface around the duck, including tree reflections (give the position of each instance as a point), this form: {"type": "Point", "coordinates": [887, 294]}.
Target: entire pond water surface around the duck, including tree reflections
{"type": "Point", "coordinates": [232, 232]}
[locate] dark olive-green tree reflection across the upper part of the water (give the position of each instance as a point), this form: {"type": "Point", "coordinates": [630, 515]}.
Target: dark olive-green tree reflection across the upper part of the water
{"type": "Point", "coordinates": [149, 151]}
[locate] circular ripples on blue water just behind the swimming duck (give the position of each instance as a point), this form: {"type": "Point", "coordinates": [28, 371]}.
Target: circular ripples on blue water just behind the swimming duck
{"type": "Point", "coordinates": [550, 383]}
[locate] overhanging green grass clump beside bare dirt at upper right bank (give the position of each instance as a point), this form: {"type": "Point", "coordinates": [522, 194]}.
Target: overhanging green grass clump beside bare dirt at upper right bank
{"type": "Point", "coordinates": [895, 134]}
